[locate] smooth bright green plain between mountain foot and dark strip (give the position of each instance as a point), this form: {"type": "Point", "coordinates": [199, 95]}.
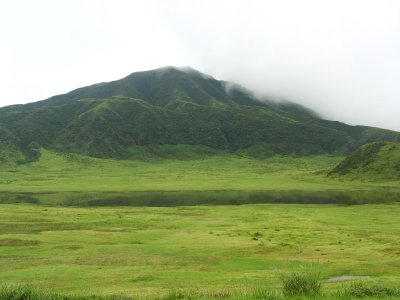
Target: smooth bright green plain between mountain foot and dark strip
{"type": "Point", "coordinates": [56, 172]}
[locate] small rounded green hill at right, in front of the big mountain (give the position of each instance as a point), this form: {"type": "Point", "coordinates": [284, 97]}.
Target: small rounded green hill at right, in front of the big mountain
{"type": "Point", "coordinates": [375, 161]}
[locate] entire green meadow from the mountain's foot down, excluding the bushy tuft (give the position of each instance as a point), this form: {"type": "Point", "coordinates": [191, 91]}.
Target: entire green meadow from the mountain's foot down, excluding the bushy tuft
{"type": "Point", "coordinates": [149, 228]}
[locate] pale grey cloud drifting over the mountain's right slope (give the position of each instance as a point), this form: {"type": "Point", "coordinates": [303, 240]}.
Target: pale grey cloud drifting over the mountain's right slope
{"type": "Point", "coordinates": [340, 58]}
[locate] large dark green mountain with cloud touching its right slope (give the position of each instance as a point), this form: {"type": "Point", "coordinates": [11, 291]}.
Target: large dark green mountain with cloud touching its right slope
{"type": "Point", "coordinates": [171, 106]}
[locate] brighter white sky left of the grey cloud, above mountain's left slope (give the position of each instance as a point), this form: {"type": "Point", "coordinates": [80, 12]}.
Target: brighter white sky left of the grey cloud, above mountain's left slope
{"type": "Point", "coordinates": [52, 47]}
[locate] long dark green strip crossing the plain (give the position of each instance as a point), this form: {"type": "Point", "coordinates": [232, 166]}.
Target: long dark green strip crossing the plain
{"type": "Point", "coordinates": [165, 199]}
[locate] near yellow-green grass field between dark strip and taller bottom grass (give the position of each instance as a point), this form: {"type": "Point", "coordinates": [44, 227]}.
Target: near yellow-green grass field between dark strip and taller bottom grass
{"type": "Point", "coordinates": [145, 252]}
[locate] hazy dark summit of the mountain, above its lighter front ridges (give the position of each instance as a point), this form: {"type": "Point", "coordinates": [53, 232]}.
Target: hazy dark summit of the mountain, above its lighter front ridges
{"type": "Point", "coordinates": [164, 86]}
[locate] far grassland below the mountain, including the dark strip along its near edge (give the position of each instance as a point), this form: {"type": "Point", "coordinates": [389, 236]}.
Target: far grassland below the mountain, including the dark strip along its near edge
{"type": "Point", "coordinates": [223, 178]}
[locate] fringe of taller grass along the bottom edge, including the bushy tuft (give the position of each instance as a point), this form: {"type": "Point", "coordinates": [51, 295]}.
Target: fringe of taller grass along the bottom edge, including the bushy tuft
{"type": "Point", "coordinates": [307, 289]}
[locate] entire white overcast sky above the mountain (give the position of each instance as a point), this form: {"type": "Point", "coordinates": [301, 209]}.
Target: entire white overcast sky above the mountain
{"type": "Point", "coordinates": [340, 58]}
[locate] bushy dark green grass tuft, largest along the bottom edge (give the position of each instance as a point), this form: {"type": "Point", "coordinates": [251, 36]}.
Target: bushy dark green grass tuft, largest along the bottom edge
{"type": "Point", "coordinates": [301, 284]}
